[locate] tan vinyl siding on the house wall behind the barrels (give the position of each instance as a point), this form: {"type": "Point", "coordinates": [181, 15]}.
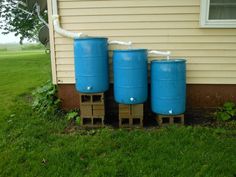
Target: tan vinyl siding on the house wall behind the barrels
{"type": "Point", "coordinates": [161, 25]}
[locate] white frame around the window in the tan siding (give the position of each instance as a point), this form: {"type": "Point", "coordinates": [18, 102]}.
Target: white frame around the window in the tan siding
{"type": "Point", "coordinates": [206, 23]}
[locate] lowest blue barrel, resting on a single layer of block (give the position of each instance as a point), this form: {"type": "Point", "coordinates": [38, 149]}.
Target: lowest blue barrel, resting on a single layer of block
{"type": "Point", "coordinates": [168, 86]}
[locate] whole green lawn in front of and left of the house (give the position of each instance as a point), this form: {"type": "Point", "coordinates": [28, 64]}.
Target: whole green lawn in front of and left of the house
{"type": "Point", "coordinates": [33, 145]}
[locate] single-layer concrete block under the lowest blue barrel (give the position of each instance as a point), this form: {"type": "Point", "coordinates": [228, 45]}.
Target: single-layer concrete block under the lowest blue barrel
{"type": "Point", "coordinates": [164, 120]}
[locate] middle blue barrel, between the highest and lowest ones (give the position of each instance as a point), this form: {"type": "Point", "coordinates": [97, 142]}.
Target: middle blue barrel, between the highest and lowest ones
{"type": "Point", "coordinates": [130, 76]}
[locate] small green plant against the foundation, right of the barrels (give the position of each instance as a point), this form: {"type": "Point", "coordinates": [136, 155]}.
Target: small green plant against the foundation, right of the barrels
{"type": "Point", "coordinates": [226, 112]}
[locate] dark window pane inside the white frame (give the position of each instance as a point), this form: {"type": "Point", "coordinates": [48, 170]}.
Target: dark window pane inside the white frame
{"type": "Point", "coordinates": [222, 10]}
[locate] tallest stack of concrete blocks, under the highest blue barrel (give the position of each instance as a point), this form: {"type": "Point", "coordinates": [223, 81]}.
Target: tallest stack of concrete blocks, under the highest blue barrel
{"type": "Point", "coordinates": [92, 110]}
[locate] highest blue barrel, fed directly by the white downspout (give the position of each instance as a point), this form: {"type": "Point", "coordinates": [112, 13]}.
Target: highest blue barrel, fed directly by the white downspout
{"type": "Point", "coordinates": [91, 64]}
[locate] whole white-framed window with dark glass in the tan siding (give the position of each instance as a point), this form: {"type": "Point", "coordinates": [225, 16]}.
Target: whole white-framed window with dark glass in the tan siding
{"type": "Point", "coordinates": [218, 14]}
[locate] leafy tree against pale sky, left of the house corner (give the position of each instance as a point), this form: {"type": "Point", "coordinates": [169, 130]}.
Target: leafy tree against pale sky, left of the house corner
{"type": "Point", "coordinates": [16, 17]}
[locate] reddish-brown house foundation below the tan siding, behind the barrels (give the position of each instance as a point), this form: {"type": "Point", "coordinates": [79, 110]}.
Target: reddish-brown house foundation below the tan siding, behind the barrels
{"type": "Point", "coordinates": [201, 98]}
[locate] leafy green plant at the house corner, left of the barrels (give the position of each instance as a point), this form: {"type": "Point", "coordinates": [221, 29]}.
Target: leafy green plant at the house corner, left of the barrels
{"type": "Point", "coordinates": [45, 99]}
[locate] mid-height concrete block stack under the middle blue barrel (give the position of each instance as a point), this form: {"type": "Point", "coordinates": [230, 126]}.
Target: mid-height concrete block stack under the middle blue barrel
{"type": "Point", "coordinates": [130, 116]}
